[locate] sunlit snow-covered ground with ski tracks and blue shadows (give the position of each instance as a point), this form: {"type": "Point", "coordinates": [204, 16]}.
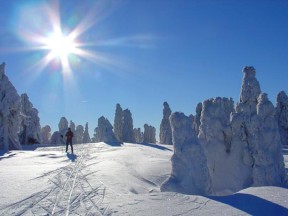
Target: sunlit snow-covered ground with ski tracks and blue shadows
{"type": "Point", "coordinates": [109, 180]}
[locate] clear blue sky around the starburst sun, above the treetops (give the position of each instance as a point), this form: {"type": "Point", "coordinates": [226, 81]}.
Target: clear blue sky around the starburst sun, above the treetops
{"type": "Point", "coordinates": [143, 53]}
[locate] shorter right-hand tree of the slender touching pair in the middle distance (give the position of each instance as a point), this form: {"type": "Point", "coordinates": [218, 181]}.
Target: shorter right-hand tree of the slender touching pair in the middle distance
{"type": "Point", "coordinates": [127, 129]}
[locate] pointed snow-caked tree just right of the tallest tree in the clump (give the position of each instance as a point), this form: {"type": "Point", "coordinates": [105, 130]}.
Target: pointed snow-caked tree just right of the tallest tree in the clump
{"type": "Point", "coordinates": [269, 168]}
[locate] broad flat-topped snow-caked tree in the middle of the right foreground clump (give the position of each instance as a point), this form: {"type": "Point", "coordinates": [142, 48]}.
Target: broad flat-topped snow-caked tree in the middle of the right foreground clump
{"type": "Point", "coordinates": [215, 136]}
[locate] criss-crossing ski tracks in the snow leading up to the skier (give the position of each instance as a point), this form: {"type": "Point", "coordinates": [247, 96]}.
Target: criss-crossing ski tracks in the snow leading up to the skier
{"type": "Point", "coordinates": [69, 193]}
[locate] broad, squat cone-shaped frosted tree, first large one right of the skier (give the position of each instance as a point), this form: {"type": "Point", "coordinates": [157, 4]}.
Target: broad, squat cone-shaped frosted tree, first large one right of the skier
{"type": "Point", "coordinates": [104, 131]}
